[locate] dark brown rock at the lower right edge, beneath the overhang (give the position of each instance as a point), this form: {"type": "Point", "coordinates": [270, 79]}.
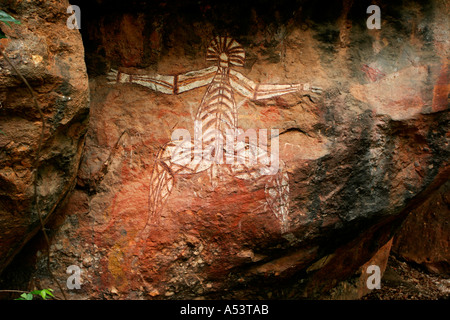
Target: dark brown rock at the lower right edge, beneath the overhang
{"type": "Point", "coordinates": [425, 235]}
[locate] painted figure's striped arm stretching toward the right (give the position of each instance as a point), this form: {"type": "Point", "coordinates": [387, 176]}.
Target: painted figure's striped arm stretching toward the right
{"type": "Point", "coordinates": [255, 91]}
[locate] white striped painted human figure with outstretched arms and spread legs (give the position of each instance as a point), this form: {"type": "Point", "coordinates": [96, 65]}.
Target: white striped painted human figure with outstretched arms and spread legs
{"type": "Point", "coordinates": [217, 116]}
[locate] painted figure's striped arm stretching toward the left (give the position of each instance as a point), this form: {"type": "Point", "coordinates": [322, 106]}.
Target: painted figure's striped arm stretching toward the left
{"type": "Point", "coordinates": [163, 83]}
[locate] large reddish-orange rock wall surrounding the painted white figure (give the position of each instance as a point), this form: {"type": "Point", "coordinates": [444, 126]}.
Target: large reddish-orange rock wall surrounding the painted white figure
{"type": "Point", "coordinates": [358, 156]}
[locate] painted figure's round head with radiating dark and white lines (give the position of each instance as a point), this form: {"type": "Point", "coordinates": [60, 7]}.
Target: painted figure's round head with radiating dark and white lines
{"type": "Point", "coordinates": [225, 51]}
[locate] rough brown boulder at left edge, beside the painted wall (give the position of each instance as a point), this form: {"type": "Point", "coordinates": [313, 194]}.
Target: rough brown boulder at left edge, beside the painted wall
{"type": "Point", "coordinates": [50, 57]}
